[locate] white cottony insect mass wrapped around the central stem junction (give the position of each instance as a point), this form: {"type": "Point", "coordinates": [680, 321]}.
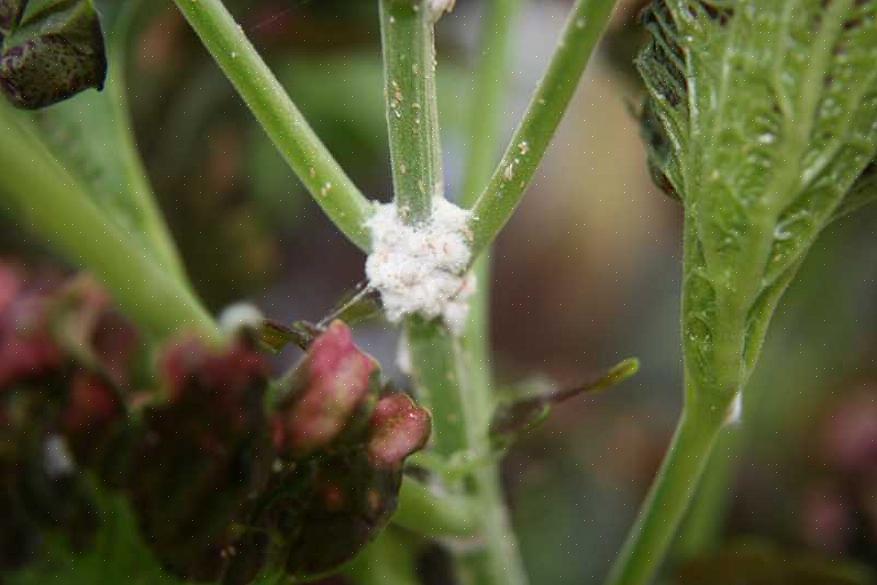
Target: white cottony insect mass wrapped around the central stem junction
{"type": "Point", "coordinates": [422, 269]}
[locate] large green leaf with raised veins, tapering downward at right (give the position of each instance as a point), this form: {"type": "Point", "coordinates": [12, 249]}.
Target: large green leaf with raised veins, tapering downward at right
{"type": "Point", "coordinates": [760, 117]}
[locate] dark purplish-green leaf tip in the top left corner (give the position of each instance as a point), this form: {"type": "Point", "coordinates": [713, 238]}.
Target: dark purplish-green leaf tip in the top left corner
{"type": "Point", "coordinates": [53, 50]}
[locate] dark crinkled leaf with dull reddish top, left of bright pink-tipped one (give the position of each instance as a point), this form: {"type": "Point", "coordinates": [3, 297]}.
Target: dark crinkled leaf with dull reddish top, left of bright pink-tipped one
{"type": "Point", "coordinates": [200, 455]}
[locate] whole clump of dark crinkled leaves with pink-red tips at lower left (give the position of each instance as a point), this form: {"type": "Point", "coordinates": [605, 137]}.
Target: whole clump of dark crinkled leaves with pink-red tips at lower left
{"type": "Point", "coordinates": [222, 479]}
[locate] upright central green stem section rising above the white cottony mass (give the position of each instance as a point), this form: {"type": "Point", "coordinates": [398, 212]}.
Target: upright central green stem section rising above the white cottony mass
{"type": "Point", "coordinates": [407, 35]}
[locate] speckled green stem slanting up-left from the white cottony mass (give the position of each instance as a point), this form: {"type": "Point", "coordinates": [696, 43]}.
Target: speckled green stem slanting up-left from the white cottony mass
{"type": "Point", "coordinates": [283, 122]}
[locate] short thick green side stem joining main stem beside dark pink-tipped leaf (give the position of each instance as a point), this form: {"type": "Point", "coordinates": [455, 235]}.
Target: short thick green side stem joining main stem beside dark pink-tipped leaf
{"type": "Point", "coordinates": [423, 512]}
